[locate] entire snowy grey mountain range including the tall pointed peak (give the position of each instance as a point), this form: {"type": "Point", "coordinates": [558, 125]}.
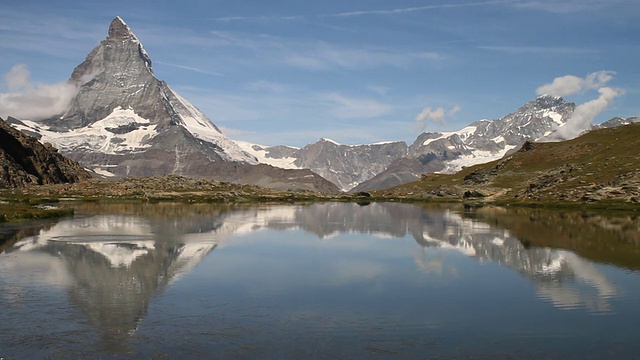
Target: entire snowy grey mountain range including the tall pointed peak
{"type": "Point", "coordinates": [125, 122]}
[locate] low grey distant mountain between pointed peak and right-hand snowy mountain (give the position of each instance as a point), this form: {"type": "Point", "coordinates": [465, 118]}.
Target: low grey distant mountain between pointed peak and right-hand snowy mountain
{"type": "Point", "coordinates": [344, 165]}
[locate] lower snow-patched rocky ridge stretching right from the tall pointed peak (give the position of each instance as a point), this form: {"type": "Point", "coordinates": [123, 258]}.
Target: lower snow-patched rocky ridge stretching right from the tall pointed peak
{"type": "Point", "coordinates": [358, 168]}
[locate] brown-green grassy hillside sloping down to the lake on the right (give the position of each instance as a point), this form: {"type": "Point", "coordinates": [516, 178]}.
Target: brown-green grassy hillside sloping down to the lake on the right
{"type": "Point", "coordinates": [600, 167]}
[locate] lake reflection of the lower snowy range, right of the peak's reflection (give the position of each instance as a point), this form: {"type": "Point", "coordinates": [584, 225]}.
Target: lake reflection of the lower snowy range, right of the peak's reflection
{"type": "Point", "coordinates": [560, 276]}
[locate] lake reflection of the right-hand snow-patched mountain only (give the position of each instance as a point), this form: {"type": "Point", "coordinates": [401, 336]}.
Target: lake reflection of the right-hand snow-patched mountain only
{"type": "Point", "coordinates": [561, 277]}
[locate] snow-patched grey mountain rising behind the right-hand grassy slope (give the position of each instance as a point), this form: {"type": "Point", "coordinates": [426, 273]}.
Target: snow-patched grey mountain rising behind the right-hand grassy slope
{"type": "Point", "coordinates": [480, 142]}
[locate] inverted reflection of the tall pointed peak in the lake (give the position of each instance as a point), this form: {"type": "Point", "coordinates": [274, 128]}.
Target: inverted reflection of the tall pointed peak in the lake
{"type": "Point", "coordinates": [116, 263]}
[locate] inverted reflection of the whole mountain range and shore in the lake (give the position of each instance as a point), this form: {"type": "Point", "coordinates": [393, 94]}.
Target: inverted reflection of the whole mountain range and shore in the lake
{"type": "Point", "coordinates": [112, 260]}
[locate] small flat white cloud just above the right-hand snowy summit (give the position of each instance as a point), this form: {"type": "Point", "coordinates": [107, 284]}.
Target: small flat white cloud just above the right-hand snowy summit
{"type": "Point", "coordinates": [570, 84]}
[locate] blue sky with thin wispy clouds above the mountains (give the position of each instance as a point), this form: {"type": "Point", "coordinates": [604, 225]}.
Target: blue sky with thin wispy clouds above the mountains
{"type": "Point", "coordinates": [356, 71]}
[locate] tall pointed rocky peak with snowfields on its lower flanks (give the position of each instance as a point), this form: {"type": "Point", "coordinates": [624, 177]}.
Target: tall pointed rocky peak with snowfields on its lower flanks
{"type": "Point", "coordinates": [125, 122]}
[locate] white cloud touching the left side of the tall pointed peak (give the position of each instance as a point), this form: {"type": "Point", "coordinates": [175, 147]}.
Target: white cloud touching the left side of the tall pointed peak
{"type": "Point", "coordinates": [26, 101]}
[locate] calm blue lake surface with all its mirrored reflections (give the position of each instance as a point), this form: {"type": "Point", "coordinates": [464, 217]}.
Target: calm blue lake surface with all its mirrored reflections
{"type": "Point", "coordinates": [383, 280]}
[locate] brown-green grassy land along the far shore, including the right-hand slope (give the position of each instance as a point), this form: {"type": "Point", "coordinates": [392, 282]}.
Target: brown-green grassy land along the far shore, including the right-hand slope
{"type": "Point", "coordinates": [600, 170]}
